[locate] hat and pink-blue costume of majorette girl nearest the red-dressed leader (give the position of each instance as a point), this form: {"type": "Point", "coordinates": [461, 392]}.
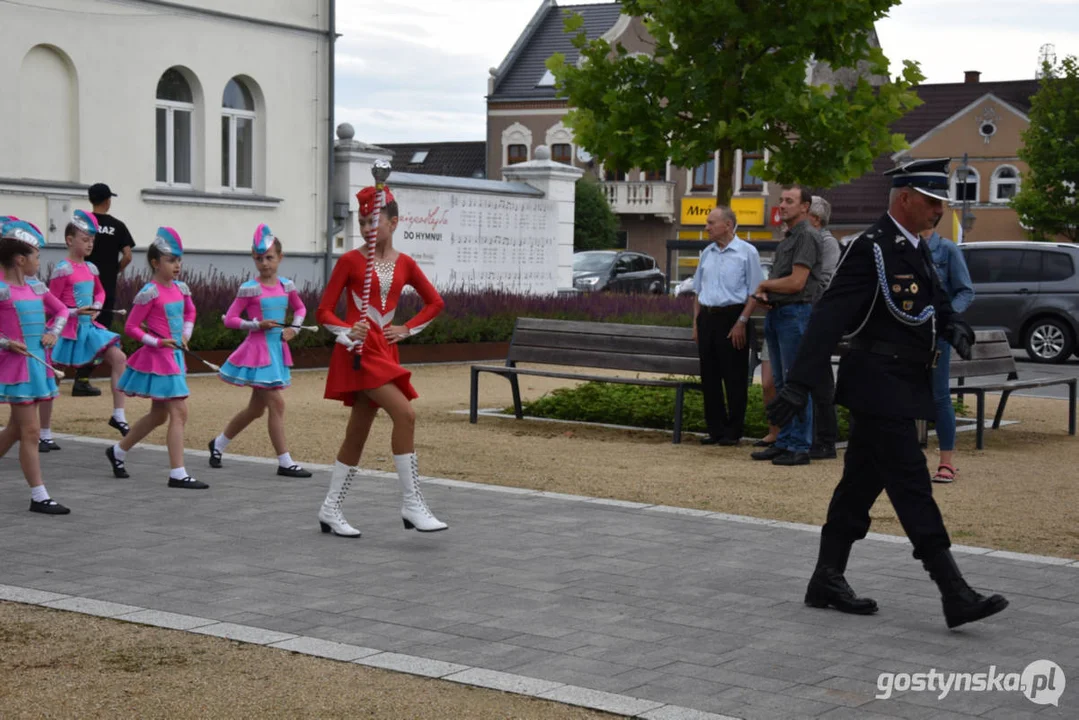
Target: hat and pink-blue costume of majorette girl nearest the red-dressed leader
{"type": "Point", "coordinates": [264, 359]}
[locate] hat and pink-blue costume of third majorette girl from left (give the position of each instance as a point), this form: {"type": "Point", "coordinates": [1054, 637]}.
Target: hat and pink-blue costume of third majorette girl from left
{"type": "Point", "coordinates": [168, 311]}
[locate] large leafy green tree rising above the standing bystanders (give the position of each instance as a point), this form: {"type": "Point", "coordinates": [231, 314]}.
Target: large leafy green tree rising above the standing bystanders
{"type": "Point", "coordinates": [728, 75]}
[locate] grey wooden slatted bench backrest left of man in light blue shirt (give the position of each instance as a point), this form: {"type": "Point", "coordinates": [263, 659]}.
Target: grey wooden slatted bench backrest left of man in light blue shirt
{"type": "Point", "coordinates": [609, 346]}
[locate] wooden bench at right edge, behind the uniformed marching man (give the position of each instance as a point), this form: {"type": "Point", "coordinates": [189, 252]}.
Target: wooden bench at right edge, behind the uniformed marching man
{"type": "Point", "coordinates": [992, 357]}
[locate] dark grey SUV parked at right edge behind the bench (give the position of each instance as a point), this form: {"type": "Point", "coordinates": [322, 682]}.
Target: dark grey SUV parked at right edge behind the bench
{"type": "Point", "coordinates": [1031, 291]}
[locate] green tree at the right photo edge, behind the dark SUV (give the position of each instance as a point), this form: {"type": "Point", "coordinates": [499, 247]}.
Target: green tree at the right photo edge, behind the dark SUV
{"type": "Point", "coordinates": [1047, 198]}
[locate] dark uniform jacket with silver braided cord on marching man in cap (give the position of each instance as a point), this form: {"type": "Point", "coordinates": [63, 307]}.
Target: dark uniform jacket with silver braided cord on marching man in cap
{"type": "Point", "coordinates": [887, 371]}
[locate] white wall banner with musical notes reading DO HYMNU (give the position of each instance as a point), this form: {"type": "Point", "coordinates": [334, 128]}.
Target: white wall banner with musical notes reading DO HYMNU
{"type": "Point", "coordinates": [472, 241]}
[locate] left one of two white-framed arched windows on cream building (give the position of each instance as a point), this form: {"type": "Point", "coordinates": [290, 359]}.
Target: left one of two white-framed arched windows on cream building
{"type": "Point", "coordinates": [175, 110]}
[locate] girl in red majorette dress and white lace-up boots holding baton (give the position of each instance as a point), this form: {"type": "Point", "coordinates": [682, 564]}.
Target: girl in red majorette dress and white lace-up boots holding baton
{"type": "Point", "coordinates": [365, 371]}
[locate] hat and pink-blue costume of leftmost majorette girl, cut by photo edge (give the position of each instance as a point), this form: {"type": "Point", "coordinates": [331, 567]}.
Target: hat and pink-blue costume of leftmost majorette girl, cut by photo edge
{"type": "Point", "coordinates": [24, 315]}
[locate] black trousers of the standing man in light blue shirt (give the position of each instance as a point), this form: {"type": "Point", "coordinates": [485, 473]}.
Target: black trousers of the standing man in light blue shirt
{"type": "Point", "coordinates": [723, 369]}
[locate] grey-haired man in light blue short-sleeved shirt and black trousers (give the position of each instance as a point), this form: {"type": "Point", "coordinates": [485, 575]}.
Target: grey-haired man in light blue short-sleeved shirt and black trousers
{"type": "Point", "coordinates": [729, 273]}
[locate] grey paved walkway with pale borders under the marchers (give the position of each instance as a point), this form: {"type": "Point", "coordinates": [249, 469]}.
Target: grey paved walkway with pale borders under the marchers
{"type": "Point", "coordinates": [647, 612]}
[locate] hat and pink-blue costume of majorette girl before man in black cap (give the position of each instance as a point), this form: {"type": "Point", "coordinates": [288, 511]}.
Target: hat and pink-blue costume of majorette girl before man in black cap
{"type": "Point", "coordinates": [78, 286]}
